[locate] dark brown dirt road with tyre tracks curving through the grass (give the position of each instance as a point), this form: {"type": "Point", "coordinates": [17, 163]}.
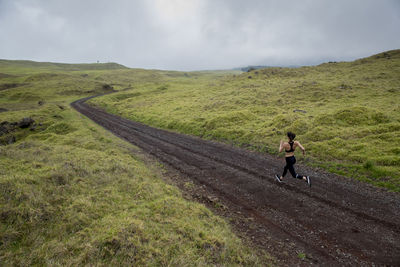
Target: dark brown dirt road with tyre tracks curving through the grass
{"type": "Point", "coordinates": [337, 221]}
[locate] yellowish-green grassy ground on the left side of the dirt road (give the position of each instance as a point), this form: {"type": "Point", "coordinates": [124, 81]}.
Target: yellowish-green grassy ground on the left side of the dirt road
{"type": "Point", "coordinates": [73, 194]}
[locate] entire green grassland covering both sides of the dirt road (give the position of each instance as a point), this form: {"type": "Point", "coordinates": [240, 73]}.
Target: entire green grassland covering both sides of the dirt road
{"type": "Point", "coordinates": [72, 193]}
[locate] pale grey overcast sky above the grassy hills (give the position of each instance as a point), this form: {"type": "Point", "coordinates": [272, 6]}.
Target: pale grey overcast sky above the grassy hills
{"type": "Point", "coordinates": [197, 34]}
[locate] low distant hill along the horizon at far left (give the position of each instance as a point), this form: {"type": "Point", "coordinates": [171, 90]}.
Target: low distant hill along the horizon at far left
{"type": "Point", "coordinates": [60, 66]}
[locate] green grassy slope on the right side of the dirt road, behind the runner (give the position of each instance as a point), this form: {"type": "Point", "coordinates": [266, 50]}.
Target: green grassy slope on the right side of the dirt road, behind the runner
{"type": "Point", "coordinates": [346, 114]}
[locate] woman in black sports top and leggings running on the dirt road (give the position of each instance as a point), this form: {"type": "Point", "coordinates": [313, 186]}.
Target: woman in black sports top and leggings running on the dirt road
{"type": "Point", "coordinates": [290, 147]}
